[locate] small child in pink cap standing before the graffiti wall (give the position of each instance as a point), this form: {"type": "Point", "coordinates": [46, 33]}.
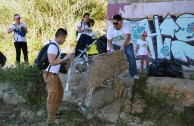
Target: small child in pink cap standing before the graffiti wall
{"type": "Point", "coordinates": [143, 50]}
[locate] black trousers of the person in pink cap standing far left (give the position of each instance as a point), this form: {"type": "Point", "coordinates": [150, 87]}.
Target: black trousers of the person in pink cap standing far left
{"type": "Point", "coordinates": [21, 46]}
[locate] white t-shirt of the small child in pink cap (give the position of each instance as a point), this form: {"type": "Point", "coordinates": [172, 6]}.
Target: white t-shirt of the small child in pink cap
{"type": "Point", "coordinates": [142, 47]}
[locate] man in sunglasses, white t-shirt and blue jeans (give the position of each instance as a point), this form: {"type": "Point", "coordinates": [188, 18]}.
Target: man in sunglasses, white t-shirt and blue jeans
{"type": "Point", "coordinates": [119, 37]}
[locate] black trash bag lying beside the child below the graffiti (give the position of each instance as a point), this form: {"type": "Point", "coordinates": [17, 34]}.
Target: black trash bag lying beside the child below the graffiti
{"type": "Point", "coordinates": [165, 68]}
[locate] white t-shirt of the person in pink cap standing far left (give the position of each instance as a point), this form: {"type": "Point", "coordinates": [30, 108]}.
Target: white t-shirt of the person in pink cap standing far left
{"type": "Point", "coordinates": [17, 37]}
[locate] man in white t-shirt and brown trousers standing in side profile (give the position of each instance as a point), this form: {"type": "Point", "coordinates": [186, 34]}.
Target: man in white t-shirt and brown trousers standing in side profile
{"type": "Point", "coordinates": [53, 83]}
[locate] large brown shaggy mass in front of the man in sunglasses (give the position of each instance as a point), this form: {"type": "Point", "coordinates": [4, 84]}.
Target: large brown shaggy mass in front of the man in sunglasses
{"type": "Point", "coordinates": [105, 67]}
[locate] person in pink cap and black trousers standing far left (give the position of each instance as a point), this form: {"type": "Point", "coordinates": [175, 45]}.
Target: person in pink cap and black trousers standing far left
{"type": "Point", "coordinates": [20, 43]}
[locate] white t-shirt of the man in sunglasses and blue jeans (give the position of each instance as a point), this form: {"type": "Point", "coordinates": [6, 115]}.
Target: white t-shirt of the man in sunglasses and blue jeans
{"type": "Point", "coordinates": [118, 36]}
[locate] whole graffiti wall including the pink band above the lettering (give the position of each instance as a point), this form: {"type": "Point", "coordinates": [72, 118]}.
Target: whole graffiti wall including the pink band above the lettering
{"type": "Point", "coordinates": [170, 35]}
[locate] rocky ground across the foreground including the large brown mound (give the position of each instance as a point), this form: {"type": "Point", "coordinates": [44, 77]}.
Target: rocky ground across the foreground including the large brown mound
{"type": "Point", "coordinates": [117, 99]}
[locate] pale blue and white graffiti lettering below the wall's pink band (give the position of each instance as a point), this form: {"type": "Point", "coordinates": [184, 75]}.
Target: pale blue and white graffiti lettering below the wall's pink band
{"type": "Point", "coordinates": [171, 36]}
